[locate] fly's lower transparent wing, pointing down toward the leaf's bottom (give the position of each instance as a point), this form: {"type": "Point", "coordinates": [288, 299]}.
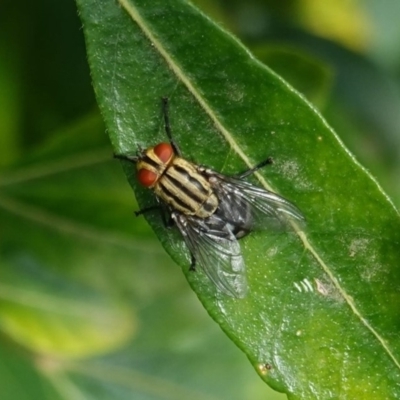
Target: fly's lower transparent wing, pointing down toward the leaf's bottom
{"type": "Point", "coordinates": [216, 252]}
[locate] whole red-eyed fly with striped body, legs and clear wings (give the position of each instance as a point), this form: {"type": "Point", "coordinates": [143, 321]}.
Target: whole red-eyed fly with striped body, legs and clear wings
{"type": "Point", "coordinates": [212, 211]}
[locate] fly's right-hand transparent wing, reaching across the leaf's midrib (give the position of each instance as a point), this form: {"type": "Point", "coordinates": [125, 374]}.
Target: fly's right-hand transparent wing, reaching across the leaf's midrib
{"type": "Point", "coordinates": [251, 207]}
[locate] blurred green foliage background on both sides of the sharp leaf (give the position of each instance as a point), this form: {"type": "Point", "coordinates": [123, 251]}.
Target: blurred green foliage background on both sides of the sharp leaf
{"type": "Point", "coordinates": [90, 305]}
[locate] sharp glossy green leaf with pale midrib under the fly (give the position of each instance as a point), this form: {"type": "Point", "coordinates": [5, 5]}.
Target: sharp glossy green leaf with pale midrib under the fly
{"type": "Point", "coordinates": [321, 318]}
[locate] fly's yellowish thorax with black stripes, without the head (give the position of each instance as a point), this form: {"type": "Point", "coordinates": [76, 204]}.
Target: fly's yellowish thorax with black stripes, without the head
{"type": "Point", "coordinates": [186, 190]}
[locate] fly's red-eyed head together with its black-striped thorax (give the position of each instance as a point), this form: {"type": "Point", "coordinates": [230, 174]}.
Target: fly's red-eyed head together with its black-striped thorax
{"type": "Point", "coordinates": [176, 181]}
